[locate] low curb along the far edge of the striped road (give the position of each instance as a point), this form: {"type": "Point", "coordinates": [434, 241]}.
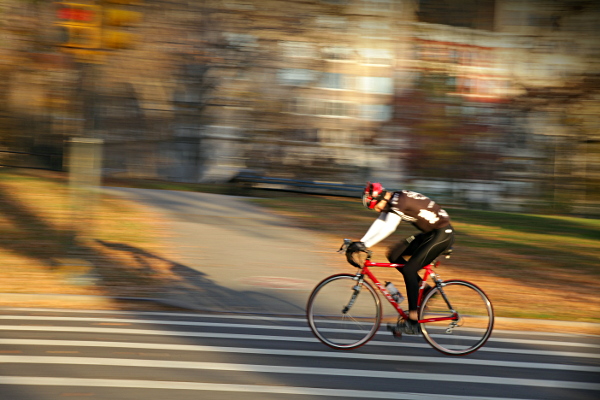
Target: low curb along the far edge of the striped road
{"type": "Point", "coordinates": [177, 304]}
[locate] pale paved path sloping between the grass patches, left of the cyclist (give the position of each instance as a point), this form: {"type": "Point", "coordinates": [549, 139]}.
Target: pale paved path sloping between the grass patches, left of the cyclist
{"type": "Point", "coordinates": [236, 256]}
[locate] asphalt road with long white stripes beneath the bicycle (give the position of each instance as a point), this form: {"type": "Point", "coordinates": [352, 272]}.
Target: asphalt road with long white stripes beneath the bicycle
{"type": "Point", "coordinates": [54, 354]}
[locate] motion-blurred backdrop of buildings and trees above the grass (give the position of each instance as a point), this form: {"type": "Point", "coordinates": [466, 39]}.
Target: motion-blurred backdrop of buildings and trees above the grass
{"type": "Point", "coordinates": [488, 104]}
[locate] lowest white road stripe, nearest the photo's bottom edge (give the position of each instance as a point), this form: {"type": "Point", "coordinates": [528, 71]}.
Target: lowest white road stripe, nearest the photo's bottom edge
{"type": "Point", "coordinates": [227, 387]}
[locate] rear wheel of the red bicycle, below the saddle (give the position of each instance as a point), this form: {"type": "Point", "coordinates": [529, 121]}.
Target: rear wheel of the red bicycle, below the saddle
{"type": "Point", "coordinates": [473, 322]}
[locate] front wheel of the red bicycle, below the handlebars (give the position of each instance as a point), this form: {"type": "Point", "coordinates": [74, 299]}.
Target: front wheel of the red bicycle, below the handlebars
{"type": "Point", "coordinates": [344, 313]}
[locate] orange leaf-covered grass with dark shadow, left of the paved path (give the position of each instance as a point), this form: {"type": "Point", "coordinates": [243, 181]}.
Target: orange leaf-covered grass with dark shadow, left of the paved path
{"type": "Point", "coordinates": [49, 239]}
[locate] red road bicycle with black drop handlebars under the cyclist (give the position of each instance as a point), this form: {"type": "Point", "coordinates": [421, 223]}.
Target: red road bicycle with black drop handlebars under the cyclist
{"type": "Point", "coordinates": [344, 311]}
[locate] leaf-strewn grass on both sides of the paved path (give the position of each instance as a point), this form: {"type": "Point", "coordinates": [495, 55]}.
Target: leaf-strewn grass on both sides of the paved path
{"type": "Point", "coordinates": [532, 266]}
